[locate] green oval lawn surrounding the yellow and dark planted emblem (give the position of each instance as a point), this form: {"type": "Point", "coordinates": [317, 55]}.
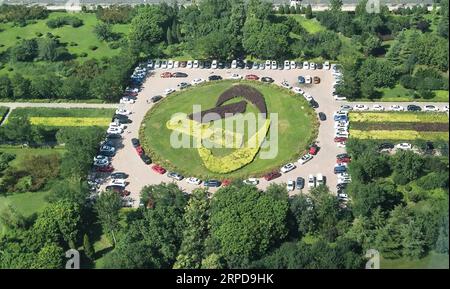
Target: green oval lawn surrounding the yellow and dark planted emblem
{"type": "Point", "coordinates": [296, 129]}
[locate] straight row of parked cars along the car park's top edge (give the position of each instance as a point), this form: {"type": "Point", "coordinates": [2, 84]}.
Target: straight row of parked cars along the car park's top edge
{"type": "Point", "coordinates": [237, 64]}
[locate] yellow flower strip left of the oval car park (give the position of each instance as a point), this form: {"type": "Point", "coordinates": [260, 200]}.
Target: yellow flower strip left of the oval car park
{"type": "Point", "coordinates": [70, 121]}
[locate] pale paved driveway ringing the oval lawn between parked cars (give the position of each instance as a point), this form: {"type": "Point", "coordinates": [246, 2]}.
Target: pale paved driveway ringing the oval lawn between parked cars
{"type": "Point", "coordinates": [141, 175]}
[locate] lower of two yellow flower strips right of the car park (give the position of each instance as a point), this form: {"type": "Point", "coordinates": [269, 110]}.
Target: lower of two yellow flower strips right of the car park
{"type": "Point", "coordinates": [399, 134]}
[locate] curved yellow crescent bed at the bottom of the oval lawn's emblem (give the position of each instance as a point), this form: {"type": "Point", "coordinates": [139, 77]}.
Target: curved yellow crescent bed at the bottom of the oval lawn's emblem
{"type": "Point", "coordinates": [238, 158]}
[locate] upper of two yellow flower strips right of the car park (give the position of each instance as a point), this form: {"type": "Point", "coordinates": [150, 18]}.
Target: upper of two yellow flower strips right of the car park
{"type": "Point", "coordinates": [398, 117]}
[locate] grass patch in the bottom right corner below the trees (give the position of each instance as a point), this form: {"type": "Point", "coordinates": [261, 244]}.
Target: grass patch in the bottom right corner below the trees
{"type": "Point", "coordinates": [431, 261]}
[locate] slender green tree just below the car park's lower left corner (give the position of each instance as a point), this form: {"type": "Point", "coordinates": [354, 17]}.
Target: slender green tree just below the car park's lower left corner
{"type": "Point", "coordinates": [107, 208]}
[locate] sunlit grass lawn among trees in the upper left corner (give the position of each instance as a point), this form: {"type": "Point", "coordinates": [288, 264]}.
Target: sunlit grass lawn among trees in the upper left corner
{"type": "Point", "coordinates": [83, 36]}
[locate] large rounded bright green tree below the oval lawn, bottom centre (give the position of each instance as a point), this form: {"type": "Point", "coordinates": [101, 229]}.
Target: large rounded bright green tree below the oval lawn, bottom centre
{"type": "Point", "coordinates": [246, 223]}
